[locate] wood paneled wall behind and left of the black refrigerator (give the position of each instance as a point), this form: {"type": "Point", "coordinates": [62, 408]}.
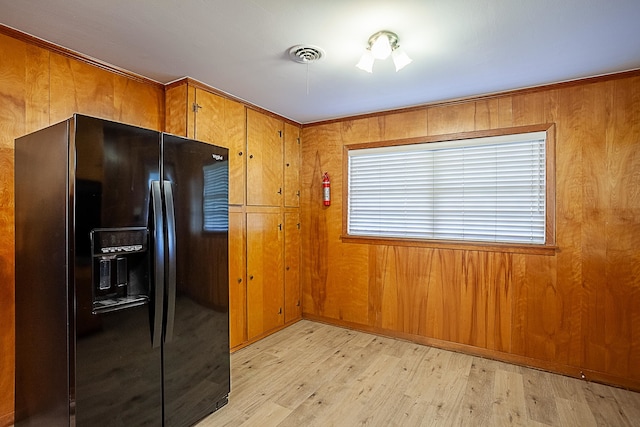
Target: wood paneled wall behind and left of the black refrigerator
{"type": "Point", "coordinates": [42, 85]}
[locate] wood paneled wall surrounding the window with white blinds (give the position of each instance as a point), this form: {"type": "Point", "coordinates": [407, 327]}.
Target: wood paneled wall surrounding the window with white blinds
{"type": "Point", "coordinates": [575, 312]}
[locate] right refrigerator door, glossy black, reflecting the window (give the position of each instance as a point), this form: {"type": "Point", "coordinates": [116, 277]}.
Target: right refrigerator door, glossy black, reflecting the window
{"type": "Point", "coordinates": [196, 358]}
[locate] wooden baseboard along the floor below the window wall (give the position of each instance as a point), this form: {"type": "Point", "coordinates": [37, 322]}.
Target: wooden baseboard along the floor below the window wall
{"type": "Point", "coordinates": [557, 368]}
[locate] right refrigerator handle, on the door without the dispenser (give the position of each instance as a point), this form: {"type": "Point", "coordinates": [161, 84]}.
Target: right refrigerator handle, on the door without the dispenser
{"type": "Point", "coordinates": [171, 264]}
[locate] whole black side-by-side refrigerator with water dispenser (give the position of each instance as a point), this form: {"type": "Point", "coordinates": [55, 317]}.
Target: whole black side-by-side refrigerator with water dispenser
{"type": "Point", "coordinates": [121, 276]}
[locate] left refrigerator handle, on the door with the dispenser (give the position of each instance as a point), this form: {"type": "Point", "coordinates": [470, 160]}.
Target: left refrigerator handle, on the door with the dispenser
{"type": "Point", "coordinates": [158, 264]}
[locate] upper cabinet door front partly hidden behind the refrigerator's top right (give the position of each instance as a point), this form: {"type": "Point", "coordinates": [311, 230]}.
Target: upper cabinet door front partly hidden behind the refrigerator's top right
{"type": "Point", "coordinates": [221, 121]}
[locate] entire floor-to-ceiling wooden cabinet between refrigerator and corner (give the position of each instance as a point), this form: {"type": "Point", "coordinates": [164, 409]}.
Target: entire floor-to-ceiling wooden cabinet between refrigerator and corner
{"type": "Point", "coordinates": [264, 199]}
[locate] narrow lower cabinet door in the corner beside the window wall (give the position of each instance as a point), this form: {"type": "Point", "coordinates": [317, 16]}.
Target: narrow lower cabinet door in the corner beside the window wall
{"type": "Point", "coordinates": [292, 295]}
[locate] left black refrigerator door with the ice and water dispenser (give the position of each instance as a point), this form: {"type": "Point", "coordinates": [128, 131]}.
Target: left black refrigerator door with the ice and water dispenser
{"type": "Point", "coordinates": [118, 373]}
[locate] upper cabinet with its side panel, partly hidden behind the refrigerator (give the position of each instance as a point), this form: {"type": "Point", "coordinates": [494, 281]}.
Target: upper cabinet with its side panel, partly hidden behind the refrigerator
{"type": "Point", "coordinates": [199, 114]}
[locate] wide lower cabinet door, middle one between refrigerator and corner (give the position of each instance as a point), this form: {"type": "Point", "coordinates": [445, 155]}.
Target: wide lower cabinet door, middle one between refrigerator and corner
{"type": "Point", "coordinates": [265, 288]}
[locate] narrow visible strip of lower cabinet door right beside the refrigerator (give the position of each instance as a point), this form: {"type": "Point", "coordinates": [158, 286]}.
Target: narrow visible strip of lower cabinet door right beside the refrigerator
{"type": "Point", "coordinates": [237, 281]}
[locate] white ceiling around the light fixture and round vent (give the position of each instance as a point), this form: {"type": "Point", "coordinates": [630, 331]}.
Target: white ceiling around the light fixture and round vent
{"type": "Point", "coordinates": [460, 48]}
